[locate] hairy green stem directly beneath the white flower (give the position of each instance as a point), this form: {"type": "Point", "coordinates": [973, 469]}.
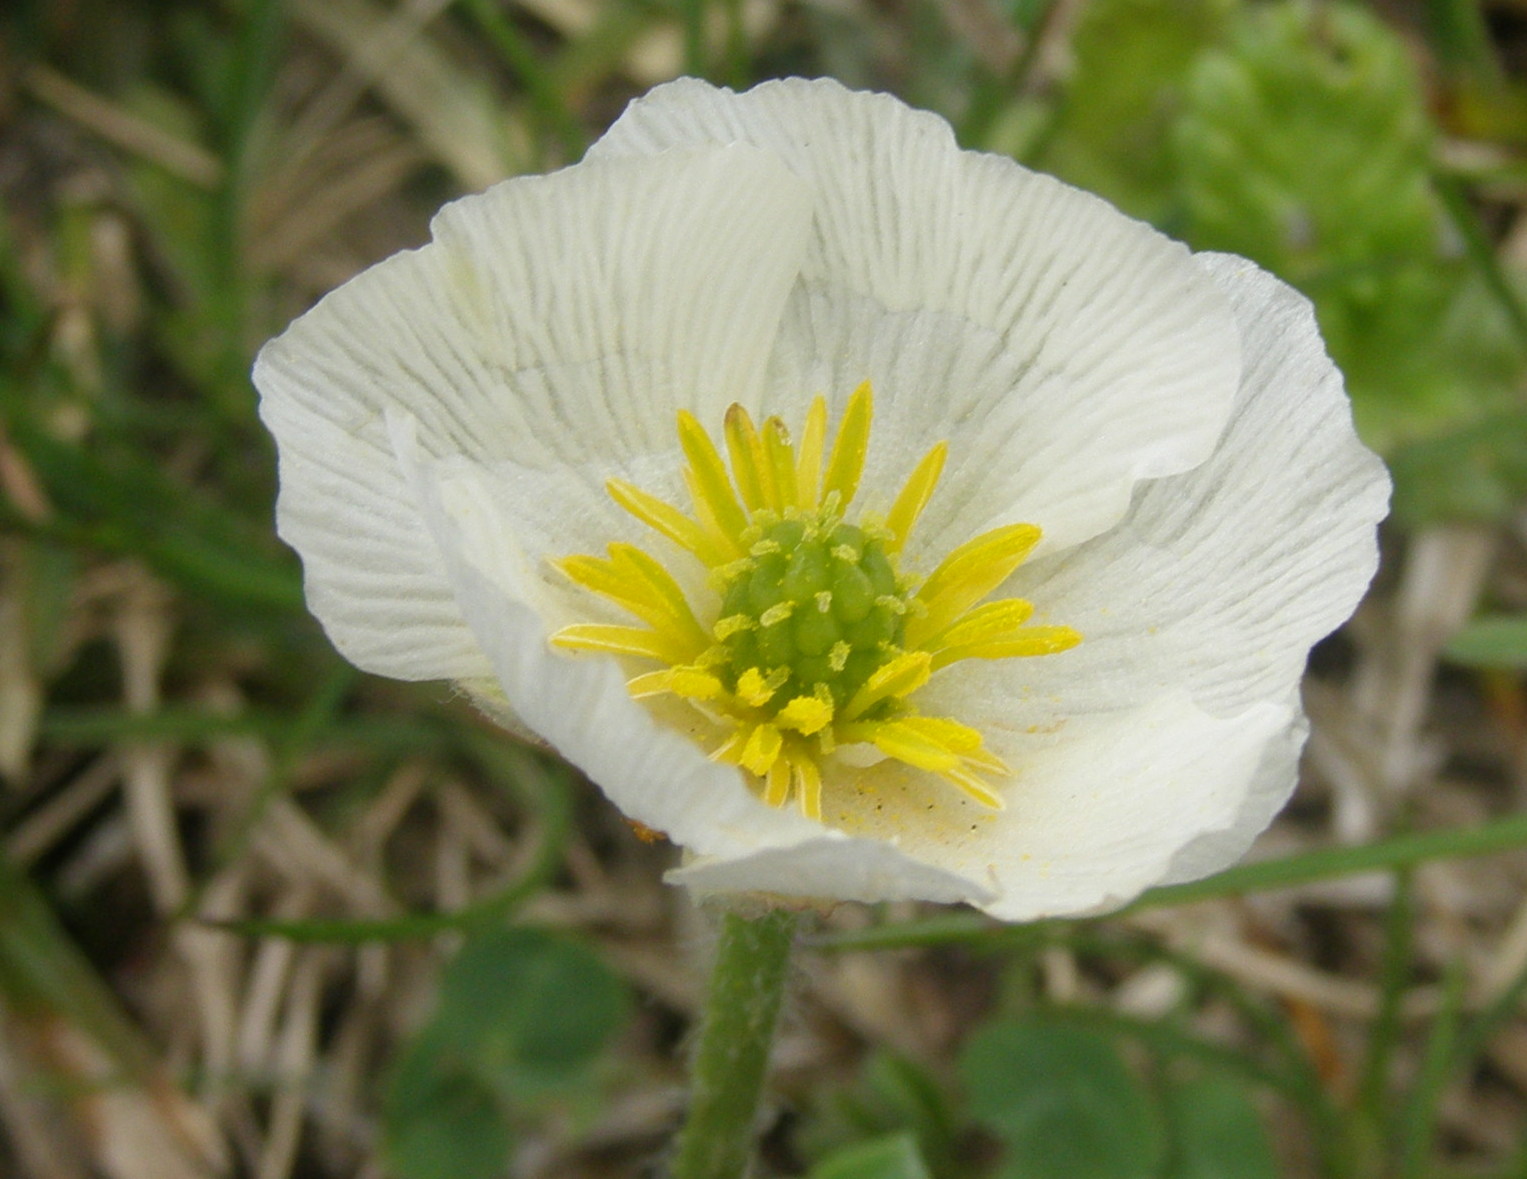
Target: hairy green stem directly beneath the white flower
{"type": "Point", "coordinates": [732, 1055]}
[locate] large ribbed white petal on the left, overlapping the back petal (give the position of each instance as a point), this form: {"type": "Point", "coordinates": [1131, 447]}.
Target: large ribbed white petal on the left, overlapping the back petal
{"type": "Point", "coordinates": [557, 323]}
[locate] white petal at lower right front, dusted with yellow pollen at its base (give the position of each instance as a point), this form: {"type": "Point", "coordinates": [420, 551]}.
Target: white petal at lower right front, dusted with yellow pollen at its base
{"type": "Point", "coordinates": [1097, 812]}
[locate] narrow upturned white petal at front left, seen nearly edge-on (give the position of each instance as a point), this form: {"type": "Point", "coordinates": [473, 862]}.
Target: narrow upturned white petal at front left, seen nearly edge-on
{"type": "Point", "coordinates": [579, 705]}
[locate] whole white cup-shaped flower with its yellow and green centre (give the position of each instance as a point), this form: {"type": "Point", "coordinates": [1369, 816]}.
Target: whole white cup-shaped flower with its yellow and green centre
{"type": "Point", "coordinates": [486, 442]}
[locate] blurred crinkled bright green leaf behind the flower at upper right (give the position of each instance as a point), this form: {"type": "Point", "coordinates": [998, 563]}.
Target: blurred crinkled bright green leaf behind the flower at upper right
{"type": "Point", "coordinates": [1306, 144]}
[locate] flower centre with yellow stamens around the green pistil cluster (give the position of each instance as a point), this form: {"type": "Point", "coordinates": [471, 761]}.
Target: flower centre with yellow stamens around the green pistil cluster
{"type": "Point", "coordinates": [813, 639]}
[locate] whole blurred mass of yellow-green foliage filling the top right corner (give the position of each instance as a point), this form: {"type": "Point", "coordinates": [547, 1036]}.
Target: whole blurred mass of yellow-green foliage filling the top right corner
{"type": "Point", "coordinates": [1300, 135]}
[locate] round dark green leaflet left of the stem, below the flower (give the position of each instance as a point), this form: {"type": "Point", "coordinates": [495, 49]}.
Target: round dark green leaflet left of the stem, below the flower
{"type": "Point", "coordinates": [529, 1009]}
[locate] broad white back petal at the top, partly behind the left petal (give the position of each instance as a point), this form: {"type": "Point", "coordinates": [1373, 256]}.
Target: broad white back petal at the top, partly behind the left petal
{"type": "Point", "coordinates": [1117, 360]}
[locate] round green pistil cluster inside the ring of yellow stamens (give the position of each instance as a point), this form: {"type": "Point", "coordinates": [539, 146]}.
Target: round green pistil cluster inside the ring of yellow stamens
{"type": "Point", "coordinates": [815, 609]}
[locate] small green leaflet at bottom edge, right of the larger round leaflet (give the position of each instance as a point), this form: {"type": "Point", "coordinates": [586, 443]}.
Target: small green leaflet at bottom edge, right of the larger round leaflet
{"type": "Point", "coordinates": [1218, 1132]}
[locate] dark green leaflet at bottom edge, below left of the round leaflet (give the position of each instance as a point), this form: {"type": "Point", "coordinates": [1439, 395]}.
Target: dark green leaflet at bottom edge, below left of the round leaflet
{"type": "Point", "coordinates": [441, 1122]}
